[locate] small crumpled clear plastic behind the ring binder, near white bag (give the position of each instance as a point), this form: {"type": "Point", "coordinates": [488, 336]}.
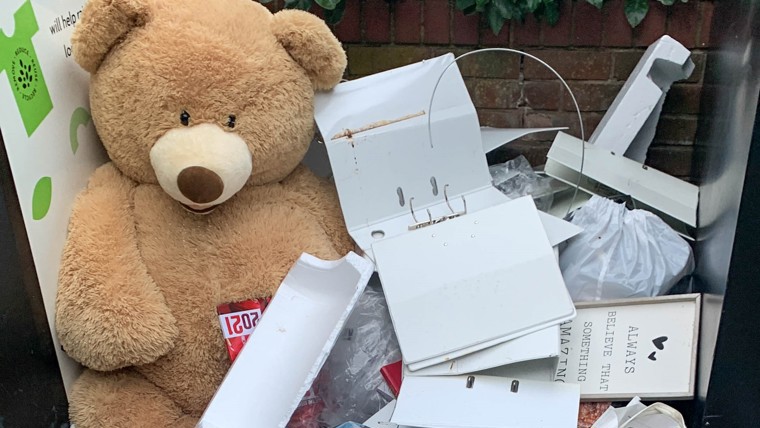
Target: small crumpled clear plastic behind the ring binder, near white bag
{"type": "Point", "coordinates": [516, 178]}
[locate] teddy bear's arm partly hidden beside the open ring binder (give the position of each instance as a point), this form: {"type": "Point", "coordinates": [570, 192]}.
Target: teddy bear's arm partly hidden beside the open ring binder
{"type": "Point", "coordinates": [320, 197]}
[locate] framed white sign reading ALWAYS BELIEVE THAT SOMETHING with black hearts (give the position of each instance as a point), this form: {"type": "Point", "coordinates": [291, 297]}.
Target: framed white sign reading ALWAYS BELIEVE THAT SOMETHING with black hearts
{"type": "Point", "coordinates": [620, 349]}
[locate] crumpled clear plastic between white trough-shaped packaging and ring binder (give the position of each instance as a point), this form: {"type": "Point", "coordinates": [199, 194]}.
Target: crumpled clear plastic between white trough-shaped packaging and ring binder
{"type": "Point", "coordinates": [350, 384]}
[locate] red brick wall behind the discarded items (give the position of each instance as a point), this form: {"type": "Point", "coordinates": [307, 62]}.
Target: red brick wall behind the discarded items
{"type": "Point", "coordinates": [593, 50]}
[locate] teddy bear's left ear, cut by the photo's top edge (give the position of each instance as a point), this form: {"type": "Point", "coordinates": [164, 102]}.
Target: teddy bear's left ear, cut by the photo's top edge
{"type": "Point", "coordinates": [103, 24]}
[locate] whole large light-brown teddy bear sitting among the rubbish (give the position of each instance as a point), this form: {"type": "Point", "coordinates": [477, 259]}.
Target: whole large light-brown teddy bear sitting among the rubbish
{"type": "Point", "coordinates": [206, 110]}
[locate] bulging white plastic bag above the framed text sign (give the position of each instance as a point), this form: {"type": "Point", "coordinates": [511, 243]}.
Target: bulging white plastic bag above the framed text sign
{"type": "Point", "coordinates": [622, 253]}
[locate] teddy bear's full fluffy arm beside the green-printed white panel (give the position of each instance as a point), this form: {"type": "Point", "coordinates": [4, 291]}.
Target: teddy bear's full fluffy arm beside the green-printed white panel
{"type": "Point", "coordinates": [109, 312]}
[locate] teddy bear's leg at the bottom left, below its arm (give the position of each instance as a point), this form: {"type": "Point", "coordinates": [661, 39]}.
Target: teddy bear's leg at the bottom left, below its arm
{"type": "Point", "coordinates": [123, 399]}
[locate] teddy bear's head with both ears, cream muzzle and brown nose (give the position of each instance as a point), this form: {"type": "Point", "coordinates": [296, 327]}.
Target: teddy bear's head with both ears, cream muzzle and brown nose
{"type": "Point", "coordinates": [204, 97]}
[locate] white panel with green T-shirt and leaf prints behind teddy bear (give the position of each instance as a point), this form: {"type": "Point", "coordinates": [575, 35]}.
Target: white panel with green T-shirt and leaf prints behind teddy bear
{"type": "Point", "coordinates": [47, 131]}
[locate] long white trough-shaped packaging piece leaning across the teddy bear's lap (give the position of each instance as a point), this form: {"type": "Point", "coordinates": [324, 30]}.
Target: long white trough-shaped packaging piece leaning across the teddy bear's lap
{"type": "Point", "coordinates": [302, 322]}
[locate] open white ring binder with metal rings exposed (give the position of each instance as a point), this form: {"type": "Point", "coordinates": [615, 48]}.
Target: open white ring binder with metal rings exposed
{"type": "Point", "coordinates": [471, 248]}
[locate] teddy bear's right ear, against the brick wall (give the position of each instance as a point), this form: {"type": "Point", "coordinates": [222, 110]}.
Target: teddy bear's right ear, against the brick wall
{"type": "Point", "coordinates": [312, 45]}
